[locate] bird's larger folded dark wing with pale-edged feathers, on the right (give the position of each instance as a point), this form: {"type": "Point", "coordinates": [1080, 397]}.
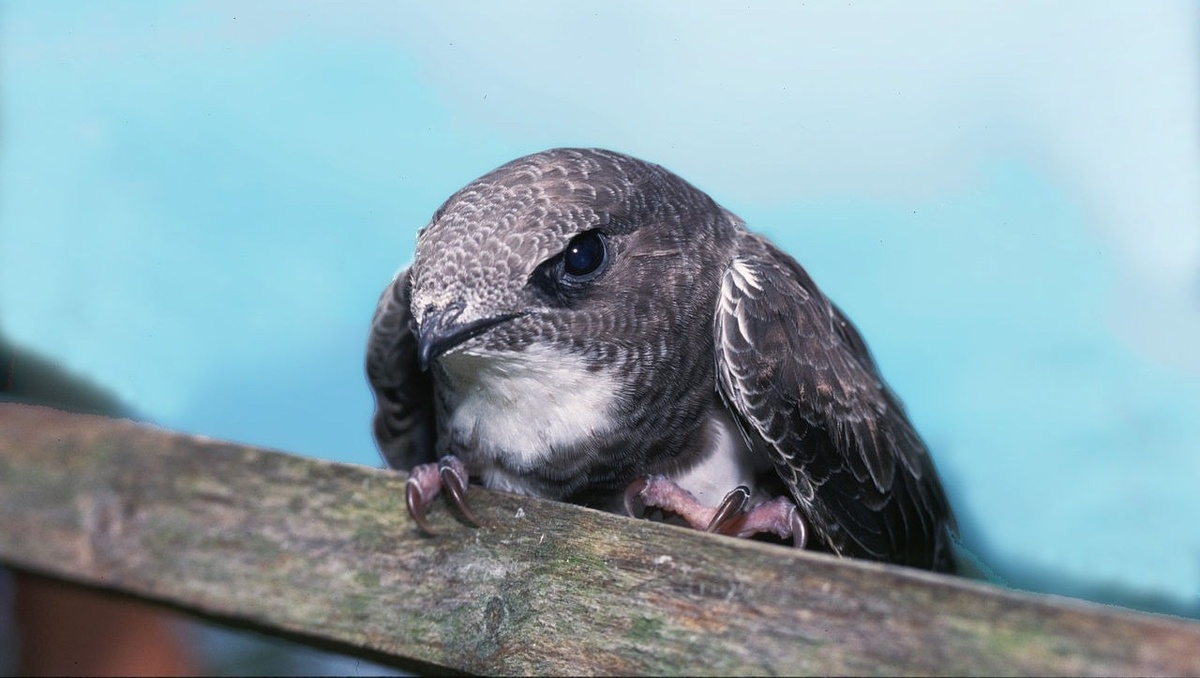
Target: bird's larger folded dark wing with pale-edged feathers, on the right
{"type": "Point", "coordinates": [806, 391]}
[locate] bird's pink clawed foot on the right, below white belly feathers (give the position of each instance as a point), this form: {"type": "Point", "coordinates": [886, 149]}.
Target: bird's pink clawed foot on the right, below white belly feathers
{"type": "Point", "coordinates": [731, 517]}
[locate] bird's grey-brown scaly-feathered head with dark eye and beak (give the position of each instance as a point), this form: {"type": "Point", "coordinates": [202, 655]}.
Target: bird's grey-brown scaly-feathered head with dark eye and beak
{"type": "Point", "coordinates": [586, 250]}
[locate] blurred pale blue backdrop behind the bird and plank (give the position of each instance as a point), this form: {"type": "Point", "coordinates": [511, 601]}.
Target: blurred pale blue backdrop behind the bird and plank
{"type": "Point", "coordinates": [200, 203]}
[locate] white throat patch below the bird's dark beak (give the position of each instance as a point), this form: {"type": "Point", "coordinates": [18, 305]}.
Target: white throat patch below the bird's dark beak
{"type": "Point", "coordinates": [523, 405]}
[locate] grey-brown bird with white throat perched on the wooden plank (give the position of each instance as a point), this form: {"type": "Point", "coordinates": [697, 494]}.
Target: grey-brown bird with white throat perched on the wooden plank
{"type": "Point", "coordinates": [587, 327]}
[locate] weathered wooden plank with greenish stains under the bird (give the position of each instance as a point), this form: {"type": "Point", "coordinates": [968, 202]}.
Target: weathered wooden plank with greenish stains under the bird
{"type": "Point", "coordinates": [327, 551]}
